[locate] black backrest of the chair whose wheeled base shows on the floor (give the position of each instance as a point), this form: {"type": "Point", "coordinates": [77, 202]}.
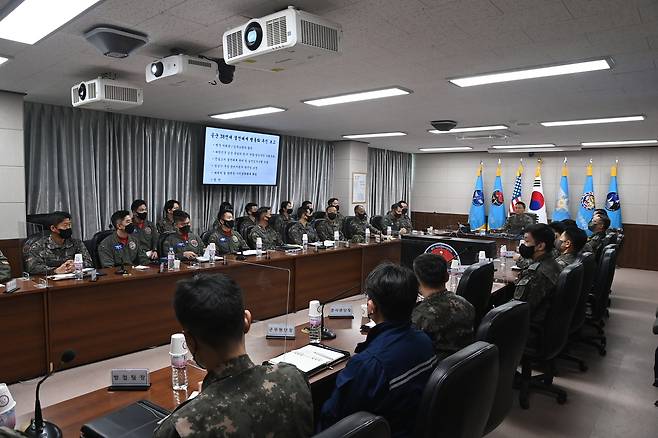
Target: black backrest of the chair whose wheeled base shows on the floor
{"type": "Point", "coordinates": [562, 306]}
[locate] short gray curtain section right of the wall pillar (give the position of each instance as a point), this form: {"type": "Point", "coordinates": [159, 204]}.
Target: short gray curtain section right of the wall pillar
{"type": "Point", "coordinates": [389, 179]}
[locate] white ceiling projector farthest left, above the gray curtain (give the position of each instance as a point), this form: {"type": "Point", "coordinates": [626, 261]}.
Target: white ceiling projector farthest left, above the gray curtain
{"type": "Point", "coordinates": [106, 94]}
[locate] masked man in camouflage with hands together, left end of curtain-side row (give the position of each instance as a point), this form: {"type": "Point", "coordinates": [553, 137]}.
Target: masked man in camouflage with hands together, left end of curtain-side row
{"type": "Point", "coordinates": [55, 253]}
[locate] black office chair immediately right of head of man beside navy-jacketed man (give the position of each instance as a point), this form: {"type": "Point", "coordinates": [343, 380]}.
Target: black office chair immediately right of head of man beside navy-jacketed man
{"type": "Point", "coordinates": [475, 285]}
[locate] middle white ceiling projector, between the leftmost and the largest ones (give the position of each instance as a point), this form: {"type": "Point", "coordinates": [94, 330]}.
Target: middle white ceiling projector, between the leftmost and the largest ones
{"type": "Point", "coordinates": [178, 69]}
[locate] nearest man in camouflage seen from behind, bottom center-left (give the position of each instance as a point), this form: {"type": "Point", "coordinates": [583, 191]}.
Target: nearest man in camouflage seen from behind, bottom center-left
{"type": "Point", "coordinates": [237, 398]}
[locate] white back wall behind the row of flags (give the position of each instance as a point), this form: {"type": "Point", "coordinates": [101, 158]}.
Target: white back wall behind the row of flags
{"type": "Point", "coordinates": [444, 182]}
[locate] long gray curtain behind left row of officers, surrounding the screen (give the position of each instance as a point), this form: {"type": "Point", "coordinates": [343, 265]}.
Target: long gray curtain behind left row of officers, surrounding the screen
{"type": "Point", "coordinates": [92, 163]}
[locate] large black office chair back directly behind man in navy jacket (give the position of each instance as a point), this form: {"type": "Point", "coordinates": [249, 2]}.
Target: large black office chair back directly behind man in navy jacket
{"type": "Point", "coordinates": [457, 399]}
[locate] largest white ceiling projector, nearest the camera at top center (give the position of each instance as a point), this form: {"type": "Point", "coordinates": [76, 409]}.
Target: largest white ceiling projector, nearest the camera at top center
{"type": "Point", "coordinates": [281, 40]}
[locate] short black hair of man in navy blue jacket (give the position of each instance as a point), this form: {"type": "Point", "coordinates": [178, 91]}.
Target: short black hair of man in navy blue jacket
{"type": "Point", "coordinates": [394, 289]}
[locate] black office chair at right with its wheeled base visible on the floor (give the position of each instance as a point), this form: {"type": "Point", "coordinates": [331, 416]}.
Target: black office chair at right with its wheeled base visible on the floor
{"type": "Point", "coordinates": [545, 342]}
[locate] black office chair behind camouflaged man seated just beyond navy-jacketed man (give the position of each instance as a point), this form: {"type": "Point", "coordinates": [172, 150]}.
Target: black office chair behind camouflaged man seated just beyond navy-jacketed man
{"type": "Point", "coordinates": [507, 328]}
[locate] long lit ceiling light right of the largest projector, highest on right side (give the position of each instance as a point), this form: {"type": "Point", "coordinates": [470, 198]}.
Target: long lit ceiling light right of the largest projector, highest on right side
{"type": "Point", "coordinates": [531, 73]}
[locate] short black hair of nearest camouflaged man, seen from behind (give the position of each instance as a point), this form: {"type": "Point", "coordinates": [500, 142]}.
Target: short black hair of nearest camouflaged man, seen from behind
{"type": "Point", "coordinates": [210, 307]}
